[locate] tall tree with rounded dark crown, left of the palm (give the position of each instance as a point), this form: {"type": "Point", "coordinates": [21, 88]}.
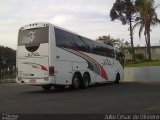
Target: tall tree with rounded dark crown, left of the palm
{"type": "Point", "coordinates": [124, 11]}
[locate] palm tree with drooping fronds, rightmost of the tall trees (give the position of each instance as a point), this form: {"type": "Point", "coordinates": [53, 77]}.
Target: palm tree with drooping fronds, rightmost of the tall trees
{"type": "Point", "coordinates": [147, 17]}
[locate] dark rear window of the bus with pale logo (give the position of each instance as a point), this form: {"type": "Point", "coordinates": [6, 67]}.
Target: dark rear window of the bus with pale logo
{"type": "Point", "coordinates": [33, 36]}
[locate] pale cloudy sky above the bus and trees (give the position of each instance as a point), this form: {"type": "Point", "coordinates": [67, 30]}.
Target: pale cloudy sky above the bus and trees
{"type": "Point", "coordinates": [89, 18]}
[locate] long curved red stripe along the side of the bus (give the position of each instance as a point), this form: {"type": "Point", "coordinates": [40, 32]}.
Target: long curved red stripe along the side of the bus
{"type": "Point", "coordinates": [103, 73]}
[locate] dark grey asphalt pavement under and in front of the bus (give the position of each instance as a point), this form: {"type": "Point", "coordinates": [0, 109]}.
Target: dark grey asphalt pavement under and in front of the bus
{"type": "Point", "coordinates": [108, 98]}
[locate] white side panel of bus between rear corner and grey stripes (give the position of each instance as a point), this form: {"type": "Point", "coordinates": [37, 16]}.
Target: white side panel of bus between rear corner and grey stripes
{"type": "Point", "coordinates": [66, 64]}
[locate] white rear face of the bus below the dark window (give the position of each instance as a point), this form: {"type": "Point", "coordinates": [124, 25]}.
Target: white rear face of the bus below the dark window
{"type": "Point", "coordinates": [33, 66]}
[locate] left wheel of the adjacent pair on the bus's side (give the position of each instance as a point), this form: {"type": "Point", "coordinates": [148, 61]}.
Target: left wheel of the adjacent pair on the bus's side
{"type": "Point", "coordinates": [75, 81]}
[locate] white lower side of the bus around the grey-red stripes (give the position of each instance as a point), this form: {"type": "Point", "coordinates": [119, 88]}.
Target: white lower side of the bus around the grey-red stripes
{"type": "Point", "coordinates": [67, 64]}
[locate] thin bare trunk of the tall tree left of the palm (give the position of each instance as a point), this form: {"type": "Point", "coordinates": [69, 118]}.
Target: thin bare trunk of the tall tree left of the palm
{"type": "Point", "coordinates": [131, 37]}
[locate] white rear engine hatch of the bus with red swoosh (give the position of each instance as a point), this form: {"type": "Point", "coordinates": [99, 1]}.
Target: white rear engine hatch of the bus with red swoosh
{"type": "Point", "coordinates": [34, 67]}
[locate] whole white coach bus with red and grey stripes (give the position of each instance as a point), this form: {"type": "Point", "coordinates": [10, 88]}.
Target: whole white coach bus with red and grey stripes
{"type": "Point", "coordinates": [48, 56]}
